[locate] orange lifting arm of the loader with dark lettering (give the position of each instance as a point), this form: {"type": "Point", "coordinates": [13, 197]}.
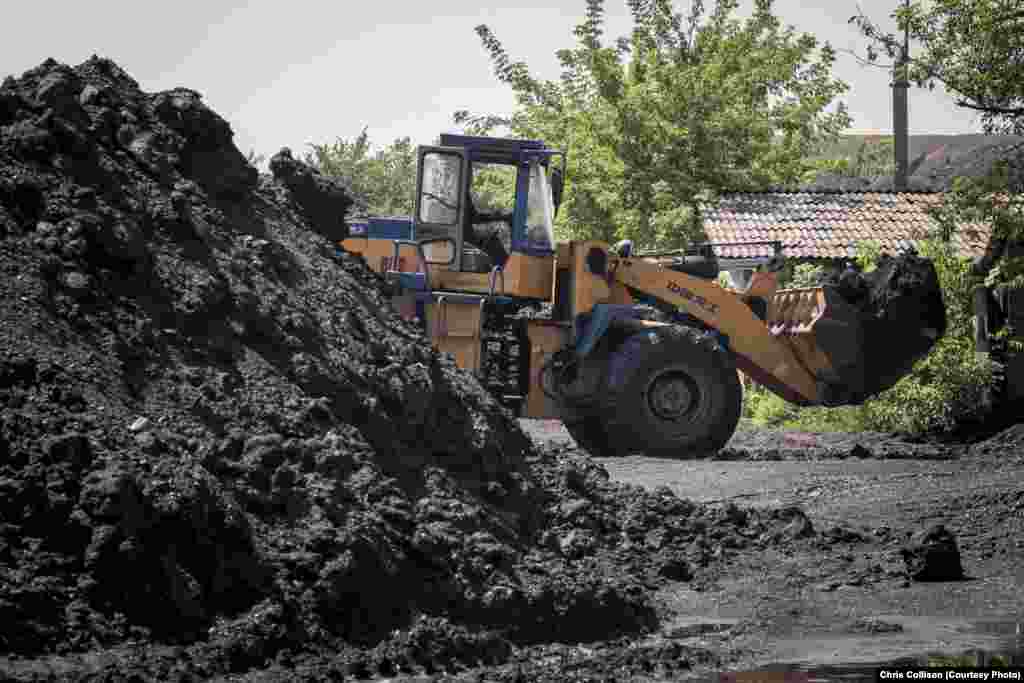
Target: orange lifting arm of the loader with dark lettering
{"type": "Point", "coordinates": [759, 354]}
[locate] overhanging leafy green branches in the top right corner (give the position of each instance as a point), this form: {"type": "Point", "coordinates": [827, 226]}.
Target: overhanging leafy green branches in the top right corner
{"type": "Point", "coordinates": [973, 48]}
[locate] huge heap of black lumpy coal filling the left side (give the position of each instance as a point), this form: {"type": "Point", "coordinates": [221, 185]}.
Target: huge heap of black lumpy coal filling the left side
{"type": "Point", "coordinates": [221, 450]}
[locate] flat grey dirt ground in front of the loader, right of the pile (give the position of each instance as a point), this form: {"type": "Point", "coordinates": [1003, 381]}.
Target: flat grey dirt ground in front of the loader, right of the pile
{"type": "Point", "coordinates": [840, 600]}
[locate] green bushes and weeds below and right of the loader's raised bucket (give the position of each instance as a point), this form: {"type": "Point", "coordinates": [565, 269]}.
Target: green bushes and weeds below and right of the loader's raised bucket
{"type": "Point", "coordinates": [948, 388]}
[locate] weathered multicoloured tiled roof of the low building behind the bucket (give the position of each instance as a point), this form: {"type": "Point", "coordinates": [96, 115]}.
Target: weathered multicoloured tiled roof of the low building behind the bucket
{"type": "Point", "coordinates": [822, 226]}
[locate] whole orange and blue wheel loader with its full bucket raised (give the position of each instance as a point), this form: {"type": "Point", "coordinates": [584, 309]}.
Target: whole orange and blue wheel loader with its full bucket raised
{"type": "Point", "coordinates": [634, 354]}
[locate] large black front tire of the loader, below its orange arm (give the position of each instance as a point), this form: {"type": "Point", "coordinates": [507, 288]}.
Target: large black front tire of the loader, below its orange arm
{"type": "Point", "coordinates": [673, 393]}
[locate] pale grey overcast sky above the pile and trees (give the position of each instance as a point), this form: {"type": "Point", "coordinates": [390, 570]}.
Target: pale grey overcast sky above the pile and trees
{"type": "Point", "coordinates": [294, 72]}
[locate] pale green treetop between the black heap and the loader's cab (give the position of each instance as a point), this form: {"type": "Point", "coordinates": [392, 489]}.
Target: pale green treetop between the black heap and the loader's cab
{"type": "Point", "coordinates": [382, 182]}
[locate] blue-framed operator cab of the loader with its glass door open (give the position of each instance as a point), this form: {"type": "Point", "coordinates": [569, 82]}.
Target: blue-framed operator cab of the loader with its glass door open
{"type": "Point", "coordinates": [480, 200]}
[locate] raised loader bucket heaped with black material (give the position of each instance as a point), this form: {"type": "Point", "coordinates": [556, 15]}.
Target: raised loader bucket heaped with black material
{"type": "Point", "coordinates": [862, 334]}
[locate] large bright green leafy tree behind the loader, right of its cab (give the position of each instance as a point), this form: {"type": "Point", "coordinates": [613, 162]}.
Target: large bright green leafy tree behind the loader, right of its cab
{"type": "Point", "coordinates": [662, 120]}
